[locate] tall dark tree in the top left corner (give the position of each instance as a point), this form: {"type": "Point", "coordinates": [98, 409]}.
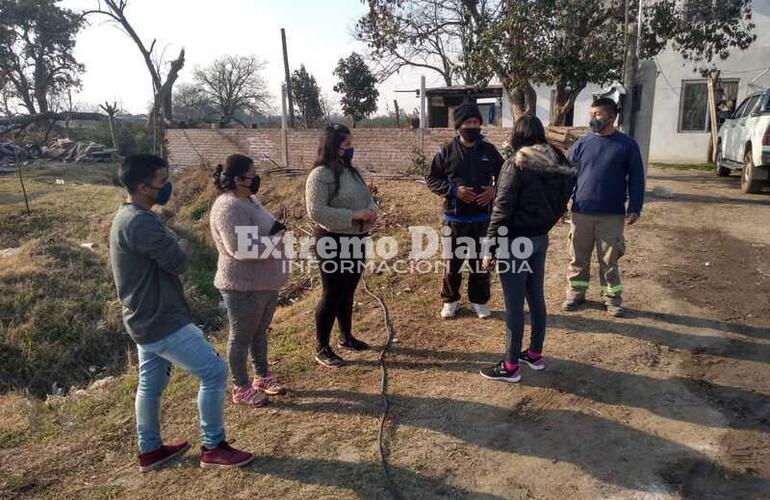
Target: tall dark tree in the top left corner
{"type": "Point", "coordinates": [37, 42]}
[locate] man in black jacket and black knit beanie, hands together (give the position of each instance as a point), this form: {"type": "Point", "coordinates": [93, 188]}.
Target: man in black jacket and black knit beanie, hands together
{"type": "Point", "coordinates": [464, 173]}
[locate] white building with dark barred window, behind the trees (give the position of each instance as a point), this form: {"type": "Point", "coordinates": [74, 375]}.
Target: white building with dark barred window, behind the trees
{"type": "Point", "coordinates": [679, 117]}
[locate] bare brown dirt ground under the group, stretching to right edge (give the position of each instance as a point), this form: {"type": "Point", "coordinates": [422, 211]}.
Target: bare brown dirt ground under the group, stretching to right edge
{"type": "Point", "coordinates": [671, 402]}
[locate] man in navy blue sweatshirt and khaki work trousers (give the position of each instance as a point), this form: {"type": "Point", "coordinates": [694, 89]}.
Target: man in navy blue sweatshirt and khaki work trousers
{"type": "Point", "coordinates": [609, 194]}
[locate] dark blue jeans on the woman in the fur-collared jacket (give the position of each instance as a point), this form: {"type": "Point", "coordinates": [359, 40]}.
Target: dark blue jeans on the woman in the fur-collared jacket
{"type": "Point", "coordinates": [524, 278]}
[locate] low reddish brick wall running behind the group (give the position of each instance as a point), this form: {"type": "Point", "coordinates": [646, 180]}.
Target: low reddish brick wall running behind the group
{"type": "Point", "coordinates": [384, 151]}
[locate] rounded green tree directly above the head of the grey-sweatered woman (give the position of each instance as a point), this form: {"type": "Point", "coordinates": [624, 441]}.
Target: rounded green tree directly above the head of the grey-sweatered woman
{"type": "Point", "coordinates": [357, 86]}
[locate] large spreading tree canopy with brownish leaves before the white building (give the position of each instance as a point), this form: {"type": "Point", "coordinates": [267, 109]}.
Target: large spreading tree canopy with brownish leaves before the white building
{"type": "Point", "coordinates": [566, 44]}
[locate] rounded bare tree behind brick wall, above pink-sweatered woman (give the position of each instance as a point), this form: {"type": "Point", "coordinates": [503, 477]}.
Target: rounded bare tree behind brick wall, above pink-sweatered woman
{"type": "Point", "coordinates": [234, 84]}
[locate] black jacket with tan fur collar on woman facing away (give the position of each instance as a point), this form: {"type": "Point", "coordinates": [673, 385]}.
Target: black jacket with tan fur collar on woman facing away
{"type": "Point", "coordinates": [532, 191]}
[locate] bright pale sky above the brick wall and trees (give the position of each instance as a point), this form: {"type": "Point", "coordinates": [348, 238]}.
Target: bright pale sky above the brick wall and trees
{"type": "Point", "coordinates": [318, 32]}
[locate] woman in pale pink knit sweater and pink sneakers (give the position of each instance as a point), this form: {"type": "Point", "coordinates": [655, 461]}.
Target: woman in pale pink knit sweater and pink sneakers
{"type": "Point", "coordinates": [247, 278]}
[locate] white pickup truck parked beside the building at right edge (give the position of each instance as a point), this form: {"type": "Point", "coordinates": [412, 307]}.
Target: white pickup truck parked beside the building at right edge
{"type": "Point", "coordinates": [744, 143]}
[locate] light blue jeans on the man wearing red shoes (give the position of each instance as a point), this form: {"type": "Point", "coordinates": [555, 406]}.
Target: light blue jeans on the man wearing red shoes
{"type": "Point", "coordinates": [190, 351]}
